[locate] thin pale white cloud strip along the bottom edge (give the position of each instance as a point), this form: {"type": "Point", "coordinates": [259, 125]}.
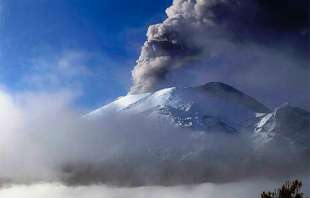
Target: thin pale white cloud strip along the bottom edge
{"type": "Point", "coordinates": [244, 189]}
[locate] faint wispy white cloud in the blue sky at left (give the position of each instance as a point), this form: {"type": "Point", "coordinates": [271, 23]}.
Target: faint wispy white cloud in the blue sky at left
{"type": "Point", "coordinates": [66, 69]}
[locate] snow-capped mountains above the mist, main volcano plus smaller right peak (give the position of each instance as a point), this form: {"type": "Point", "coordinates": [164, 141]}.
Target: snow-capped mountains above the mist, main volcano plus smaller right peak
{"type": "Point", "coordinates": [213, 107]}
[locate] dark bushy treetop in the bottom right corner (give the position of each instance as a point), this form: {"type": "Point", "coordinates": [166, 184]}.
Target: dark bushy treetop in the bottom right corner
{"type": "Point", "coordinates": [288, 190]}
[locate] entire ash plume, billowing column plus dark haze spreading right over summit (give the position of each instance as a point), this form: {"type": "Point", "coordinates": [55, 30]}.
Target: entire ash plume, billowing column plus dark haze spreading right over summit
{"type": "Point", "coordinates": [201, 37]}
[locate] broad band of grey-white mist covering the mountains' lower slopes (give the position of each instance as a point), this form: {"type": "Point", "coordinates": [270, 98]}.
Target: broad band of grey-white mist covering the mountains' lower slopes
{"type": "Point", "coordinates": [46, 138]}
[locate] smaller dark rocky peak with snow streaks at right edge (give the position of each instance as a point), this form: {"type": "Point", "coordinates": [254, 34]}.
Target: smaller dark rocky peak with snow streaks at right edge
{"type": "Point", "coordinates": [290, 125]}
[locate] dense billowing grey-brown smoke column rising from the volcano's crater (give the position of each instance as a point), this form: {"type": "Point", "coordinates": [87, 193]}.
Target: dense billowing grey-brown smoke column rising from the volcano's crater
{"type": "Point", "coordinates": [169, 44]}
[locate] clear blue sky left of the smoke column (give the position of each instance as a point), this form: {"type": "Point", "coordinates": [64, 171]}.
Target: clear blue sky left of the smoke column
{"type": "Point", "coordinates": [88, 45]}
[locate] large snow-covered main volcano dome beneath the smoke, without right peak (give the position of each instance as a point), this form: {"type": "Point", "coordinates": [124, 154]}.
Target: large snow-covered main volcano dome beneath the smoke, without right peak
{"type": "Point", "coordinates": [212, 107]}
